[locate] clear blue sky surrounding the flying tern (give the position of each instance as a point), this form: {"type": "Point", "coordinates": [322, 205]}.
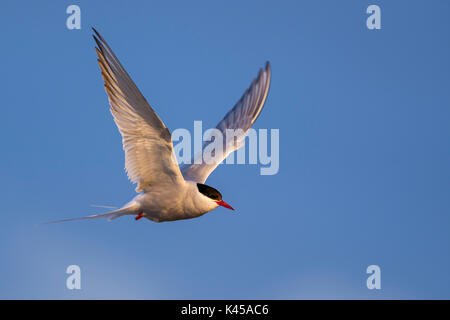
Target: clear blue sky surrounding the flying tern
{"type": "Point", "coordinates": [364, 172]}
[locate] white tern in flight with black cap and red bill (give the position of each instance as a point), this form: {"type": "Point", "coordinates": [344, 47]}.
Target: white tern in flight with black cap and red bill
{"type": "Point", "coordinates": [166, 192]}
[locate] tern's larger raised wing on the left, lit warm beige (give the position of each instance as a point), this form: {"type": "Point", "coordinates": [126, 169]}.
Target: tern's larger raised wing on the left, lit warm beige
{"type": "Point", "coordinates": [149, 157]}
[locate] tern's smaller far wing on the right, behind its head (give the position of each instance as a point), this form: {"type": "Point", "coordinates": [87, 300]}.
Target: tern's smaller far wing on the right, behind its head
{"type": "Point", "coordinates": [242, 117]}
